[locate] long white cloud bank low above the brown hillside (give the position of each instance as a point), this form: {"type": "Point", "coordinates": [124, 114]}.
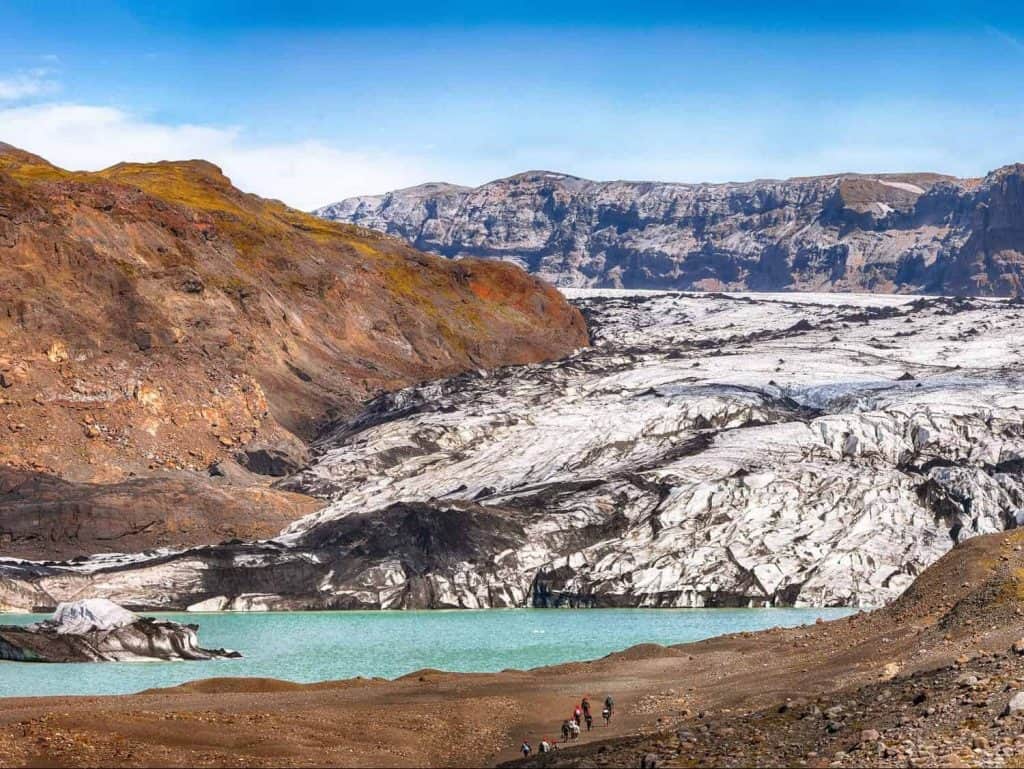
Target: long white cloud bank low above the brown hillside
{"type": "Point", "coordinates": [305, 175]}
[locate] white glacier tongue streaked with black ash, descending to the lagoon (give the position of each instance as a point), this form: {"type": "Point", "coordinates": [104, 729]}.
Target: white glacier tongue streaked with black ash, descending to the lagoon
{"type": "Point", "coordinates": [709, 450]}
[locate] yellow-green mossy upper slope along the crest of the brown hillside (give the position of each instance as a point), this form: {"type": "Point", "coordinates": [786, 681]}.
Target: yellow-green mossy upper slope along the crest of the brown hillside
{"type": "Point", "coordinates": [269, 243]}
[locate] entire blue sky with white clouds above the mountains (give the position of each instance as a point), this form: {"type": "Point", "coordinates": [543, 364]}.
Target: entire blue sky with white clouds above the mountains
{"type": "Point", "coordinates": [313, 102]}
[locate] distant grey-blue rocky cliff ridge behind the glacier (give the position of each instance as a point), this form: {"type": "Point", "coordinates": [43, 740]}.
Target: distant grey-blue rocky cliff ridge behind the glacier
{"type": "Point", "coordinates": [885, 233]}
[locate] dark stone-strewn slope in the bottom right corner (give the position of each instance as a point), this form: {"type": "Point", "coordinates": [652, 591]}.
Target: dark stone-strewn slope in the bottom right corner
{"type": "Point", "coordinates": [967, 714]}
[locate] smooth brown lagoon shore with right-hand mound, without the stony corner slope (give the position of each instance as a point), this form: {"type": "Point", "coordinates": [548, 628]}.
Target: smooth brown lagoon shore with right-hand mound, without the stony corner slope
{"type": "Point", "coordinates": [953, 612]}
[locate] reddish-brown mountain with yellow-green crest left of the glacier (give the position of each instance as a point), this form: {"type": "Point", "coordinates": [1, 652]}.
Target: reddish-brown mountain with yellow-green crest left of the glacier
{"type": "Point", "coordinates": [155, 321]}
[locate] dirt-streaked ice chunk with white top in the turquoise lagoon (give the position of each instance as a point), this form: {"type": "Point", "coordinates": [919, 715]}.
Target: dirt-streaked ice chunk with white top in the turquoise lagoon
{"type": "Point", "coordinates": [101, 631]}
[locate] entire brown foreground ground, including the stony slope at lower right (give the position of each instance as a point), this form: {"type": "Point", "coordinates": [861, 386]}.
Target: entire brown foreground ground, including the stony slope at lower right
{"type": "Point", "coordinates": [835, 690]}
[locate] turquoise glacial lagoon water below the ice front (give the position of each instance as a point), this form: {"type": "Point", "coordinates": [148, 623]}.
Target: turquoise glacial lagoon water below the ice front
{"type": "Point", "coordinates": [318, 647]}
